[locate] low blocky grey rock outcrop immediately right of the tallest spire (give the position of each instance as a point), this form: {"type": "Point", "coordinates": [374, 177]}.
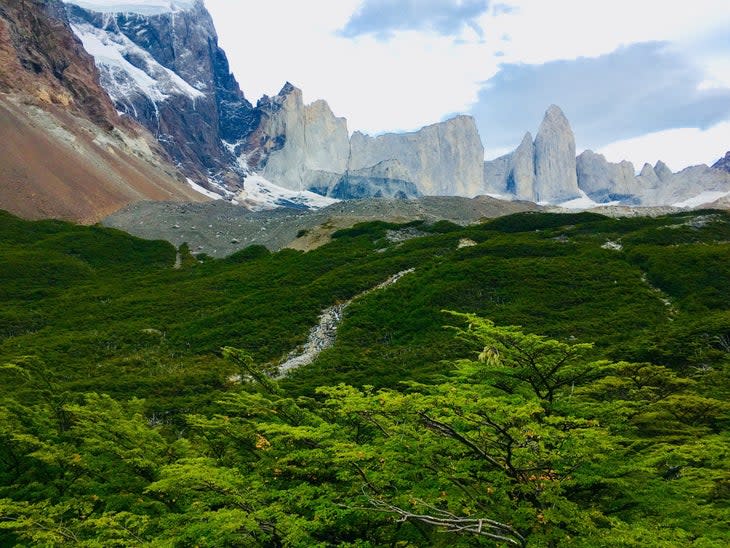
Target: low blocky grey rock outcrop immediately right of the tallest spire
{"type": "Point", "coordinates": [604, 181]}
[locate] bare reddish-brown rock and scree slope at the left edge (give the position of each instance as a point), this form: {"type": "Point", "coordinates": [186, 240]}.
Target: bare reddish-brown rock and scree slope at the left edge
{"type": "Point", "coordinates": [64, 151]}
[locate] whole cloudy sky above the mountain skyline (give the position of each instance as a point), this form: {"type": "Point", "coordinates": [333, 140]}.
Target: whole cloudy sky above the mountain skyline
{"type": "Point", "coordinates": [640, 80]}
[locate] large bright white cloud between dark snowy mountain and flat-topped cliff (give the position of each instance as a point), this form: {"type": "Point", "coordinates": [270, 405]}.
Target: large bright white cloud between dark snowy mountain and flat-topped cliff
{"type": "Point", "coordinates": [409, 81]}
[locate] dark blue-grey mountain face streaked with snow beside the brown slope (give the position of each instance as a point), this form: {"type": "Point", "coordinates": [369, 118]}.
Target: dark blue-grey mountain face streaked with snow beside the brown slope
{"type": "Point", "coordinates": [166, 71]}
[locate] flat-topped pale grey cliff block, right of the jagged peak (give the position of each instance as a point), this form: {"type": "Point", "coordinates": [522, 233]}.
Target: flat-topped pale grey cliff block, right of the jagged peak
{"type": "Point", "coordinates": [441, 159]}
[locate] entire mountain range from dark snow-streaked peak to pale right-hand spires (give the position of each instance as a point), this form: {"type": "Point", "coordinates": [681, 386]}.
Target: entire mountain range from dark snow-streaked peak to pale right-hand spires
{"type": "Point", "coordinates": [161, 64]}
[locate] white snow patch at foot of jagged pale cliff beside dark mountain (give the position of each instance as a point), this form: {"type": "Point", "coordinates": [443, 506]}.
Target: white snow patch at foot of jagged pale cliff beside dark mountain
{"type": "Point", "coordinates": [260, 194]}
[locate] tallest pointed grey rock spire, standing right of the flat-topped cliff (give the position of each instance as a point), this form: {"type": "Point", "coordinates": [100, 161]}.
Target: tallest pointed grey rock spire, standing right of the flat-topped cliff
{"type": "Point", "coordinates": [555, 165]}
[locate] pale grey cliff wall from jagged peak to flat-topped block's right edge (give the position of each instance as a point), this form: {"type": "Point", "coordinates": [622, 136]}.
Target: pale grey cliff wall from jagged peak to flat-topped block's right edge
{"type": "Point", "coordinates": [306, 147]}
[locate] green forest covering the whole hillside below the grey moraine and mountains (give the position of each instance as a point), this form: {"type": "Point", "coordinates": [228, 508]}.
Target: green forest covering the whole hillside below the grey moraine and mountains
{"type": "Point", "coordinates": [538, 380]}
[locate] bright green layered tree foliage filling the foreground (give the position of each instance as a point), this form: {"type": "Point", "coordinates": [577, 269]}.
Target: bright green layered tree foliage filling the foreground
{"type": "Point", "coordinates": [526, 443]}
